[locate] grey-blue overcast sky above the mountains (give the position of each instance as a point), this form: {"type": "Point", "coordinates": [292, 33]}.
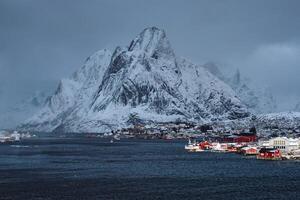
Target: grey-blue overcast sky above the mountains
{"type": "Point", "coordinates": [43, 41]}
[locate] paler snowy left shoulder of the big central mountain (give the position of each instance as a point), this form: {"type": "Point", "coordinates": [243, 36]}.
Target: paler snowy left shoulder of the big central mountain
{"type": "Point", "coordinates": [72, 94]}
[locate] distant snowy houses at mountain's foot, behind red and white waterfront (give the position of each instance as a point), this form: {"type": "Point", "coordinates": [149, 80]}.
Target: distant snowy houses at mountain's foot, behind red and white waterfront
{"type": "Point", "coordinates": [185, 130]}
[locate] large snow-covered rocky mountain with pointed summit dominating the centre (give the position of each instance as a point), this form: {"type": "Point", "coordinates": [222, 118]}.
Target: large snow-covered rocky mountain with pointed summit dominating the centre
{"type": "Point", "coordinates": [145, 78]}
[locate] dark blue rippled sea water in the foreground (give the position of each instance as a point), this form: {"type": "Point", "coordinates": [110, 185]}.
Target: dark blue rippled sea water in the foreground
{"type": "Point", "coordinates": [91, 168]}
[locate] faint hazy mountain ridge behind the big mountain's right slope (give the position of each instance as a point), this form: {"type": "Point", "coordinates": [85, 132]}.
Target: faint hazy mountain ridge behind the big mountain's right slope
{"type": "Point", "coordinates": [258, 100]}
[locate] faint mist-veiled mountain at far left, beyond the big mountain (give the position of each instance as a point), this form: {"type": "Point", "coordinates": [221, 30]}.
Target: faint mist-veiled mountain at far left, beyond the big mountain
{"type": "Point", "coordinates": [12, 116]}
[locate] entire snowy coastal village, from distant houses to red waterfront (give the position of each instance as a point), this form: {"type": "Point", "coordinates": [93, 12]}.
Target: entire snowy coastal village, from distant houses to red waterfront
{"type": "Point", "coordinates": [270, 143]}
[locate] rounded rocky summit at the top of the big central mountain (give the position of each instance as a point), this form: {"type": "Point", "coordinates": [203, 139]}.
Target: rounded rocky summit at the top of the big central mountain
{"type": "Point", "coordinates": [153, 42]}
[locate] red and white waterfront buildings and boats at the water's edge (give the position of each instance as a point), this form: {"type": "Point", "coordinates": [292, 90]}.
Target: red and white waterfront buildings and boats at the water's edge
{"type": "Point", "coordinates": [277, 148]}
